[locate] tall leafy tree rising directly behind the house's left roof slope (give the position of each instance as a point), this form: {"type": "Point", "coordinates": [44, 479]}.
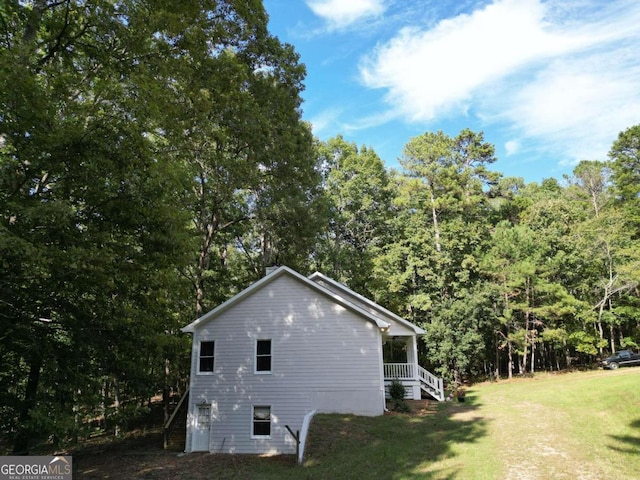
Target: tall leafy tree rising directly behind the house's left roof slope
{"type": "Point", "coordinates": [233, 121]}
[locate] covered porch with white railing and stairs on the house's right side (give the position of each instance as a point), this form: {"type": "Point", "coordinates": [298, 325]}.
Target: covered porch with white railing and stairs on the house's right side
{"type": "Point", "coordinates": [400, 362]}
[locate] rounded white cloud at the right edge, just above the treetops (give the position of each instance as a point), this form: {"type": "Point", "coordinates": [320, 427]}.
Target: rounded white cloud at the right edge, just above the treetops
{"type": "Point", "coordinates": [578, 106]}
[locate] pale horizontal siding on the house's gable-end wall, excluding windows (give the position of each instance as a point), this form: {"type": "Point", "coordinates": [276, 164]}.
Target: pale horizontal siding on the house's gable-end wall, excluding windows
{"type": "Point", "coordinates": [323, 357]}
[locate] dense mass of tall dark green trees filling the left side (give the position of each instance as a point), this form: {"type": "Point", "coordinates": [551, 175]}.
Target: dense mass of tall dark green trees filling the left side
{"type": "Point", "coordinates": [109, 113]}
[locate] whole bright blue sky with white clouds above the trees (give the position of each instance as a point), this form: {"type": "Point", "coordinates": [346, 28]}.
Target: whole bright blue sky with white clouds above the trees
{"type": "Point", "coordinates": [548, 82]}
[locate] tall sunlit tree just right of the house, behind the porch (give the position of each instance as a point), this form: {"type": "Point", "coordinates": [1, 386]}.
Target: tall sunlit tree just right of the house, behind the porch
{"type": "Point", "coordinates": [433, 263]}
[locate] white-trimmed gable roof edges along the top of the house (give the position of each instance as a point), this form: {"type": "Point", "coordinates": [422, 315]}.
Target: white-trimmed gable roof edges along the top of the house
{"type": "Point", "coordinates": [373, 315]}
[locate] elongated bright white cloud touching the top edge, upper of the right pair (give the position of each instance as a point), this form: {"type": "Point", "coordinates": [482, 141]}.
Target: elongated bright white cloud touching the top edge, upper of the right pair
{"type": "Point", "coordinates": [428, 73]}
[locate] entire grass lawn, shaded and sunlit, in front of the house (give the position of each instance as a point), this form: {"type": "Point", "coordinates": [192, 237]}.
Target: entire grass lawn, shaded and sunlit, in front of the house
{"type": "Point", "coordinates": [583, 425]}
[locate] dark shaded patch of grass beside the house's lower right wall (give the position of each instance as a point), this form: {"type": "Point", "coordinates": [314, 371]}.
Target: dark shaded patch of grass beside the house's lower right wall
{"type": "Point", "coordinates": [393, 445]}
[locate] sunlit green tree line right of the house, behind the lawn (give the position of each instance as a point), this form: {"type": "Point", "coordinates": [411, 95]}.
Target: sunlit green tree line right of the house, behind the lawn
{"type": "Point", "coordinates": [503, 274]}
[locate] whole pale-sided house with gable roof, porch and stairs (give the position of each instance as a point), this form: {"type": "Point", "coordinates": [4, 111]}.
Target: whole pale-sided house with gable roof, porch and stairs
{"type": "Point", "coordinates": [289, 345]}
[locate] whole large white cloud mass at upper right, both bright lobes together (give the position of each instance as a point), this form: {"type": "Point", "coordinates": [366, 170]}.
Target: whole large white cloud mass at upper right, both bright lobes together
{"type": "Point", "coordinates": [558, 71]}
